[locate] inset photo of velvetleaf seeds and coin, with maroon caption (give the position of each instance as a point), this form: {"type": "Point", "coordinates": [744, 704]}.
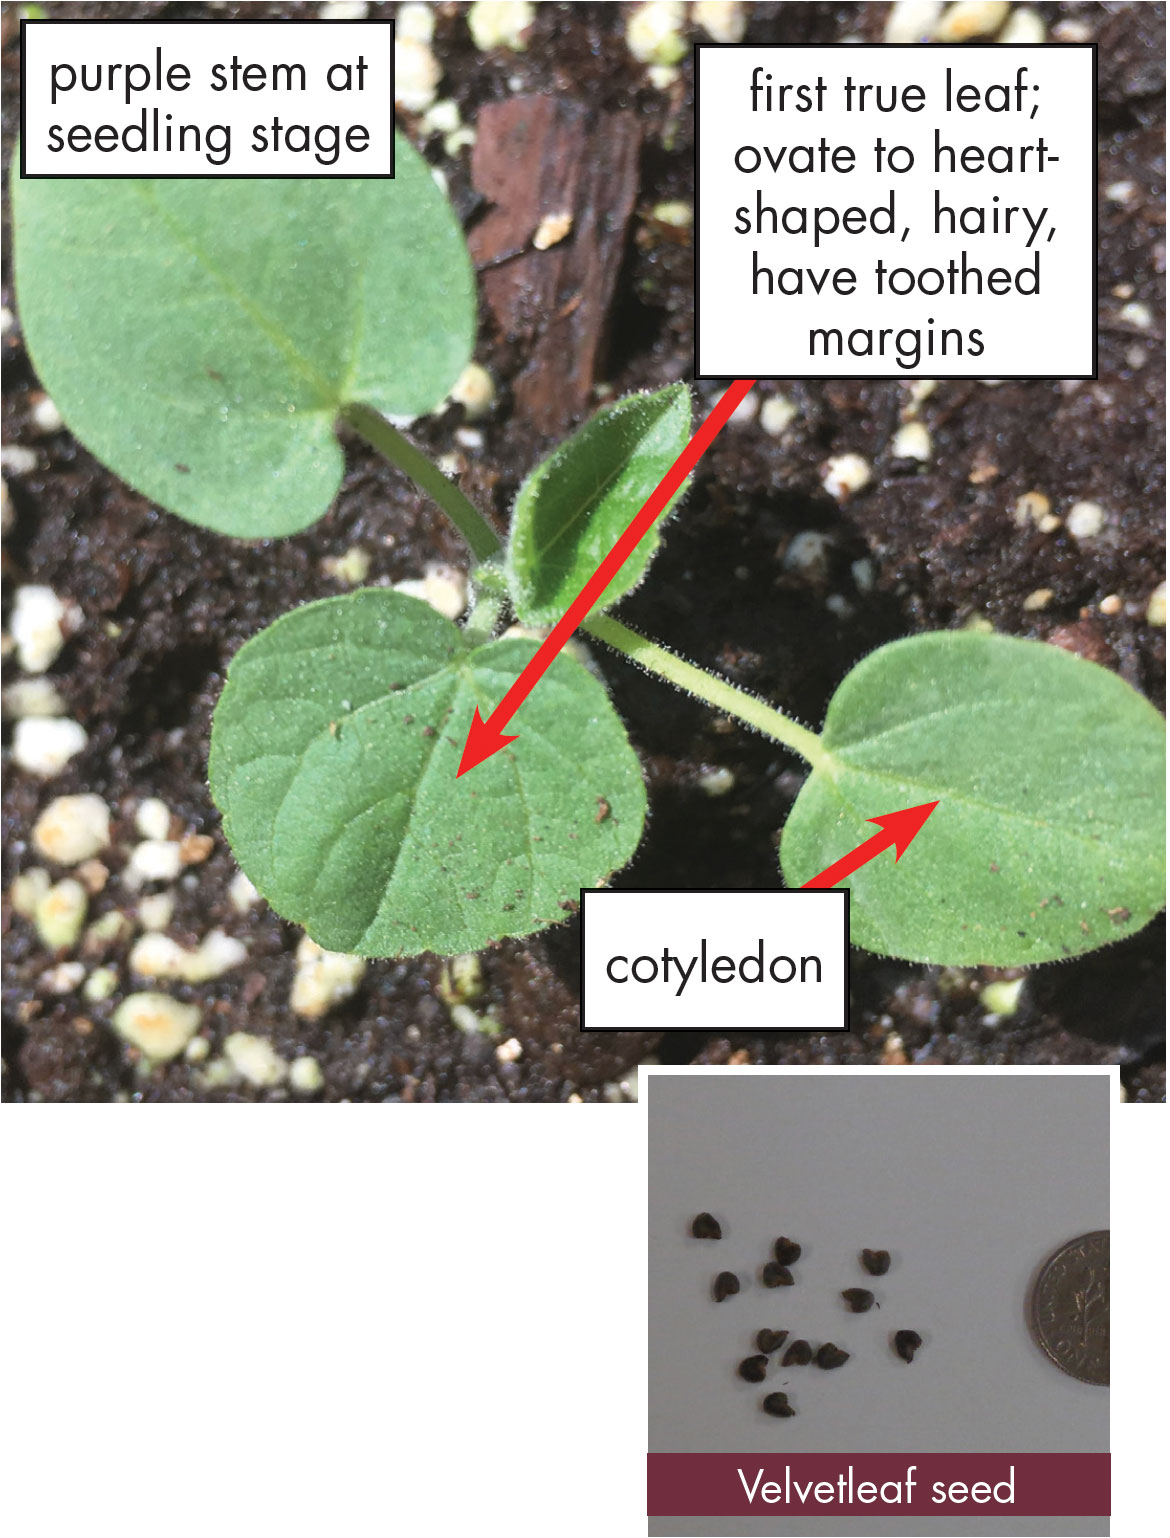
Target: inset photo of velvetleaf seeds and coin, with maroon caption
{"type": "Point", "coordinates": [879, 1302]}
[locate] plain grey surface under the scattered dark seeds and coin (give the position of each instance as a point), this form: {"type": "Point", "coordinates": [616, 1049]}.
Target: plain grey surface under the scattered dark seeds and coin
{"type": "Point", "coordinates": [971, 1183]}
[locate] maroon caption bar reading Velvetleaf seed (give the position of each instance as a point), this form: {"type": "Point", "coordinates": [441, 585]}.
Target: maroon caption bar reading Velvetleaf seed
{"type": "Point", "coordinates": [829, 1485]}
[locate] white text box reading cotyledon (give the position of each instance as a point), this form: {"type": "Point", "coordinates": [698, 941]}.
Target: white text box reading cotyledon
{"type": "Point", "coordinates": [636, 925]}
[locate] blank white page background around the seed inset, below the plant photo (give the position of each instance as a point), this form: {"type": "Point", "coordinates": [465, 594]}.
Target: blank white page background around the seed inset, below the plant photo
{"type": "Point", "coordinates": [387, 1320]}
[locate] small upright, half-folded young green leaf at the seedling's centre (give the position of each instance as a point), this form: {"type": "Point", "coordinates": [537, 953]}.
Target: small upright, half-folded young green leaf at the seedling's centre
{"type": "Point", "coordinates": [577, 504]}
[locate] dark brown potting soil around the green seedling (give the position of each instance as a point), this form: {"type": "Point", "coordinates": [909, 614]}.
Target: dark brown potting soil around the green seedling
{"type": "Point", "coordinates": [165, 607]}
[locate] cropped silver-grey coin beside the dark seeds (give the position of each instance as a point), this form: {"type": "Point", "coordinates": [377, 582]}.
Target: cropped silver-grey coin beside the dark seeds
{"type": "Point", "coordinates": [1071, 1308]}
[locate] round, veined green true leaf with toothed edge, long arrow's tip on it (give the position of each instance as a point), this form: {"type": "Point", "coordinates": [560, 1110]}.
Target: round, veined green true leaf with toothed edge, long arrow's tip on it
{"type": "Point", "coordinates": [334, 754]}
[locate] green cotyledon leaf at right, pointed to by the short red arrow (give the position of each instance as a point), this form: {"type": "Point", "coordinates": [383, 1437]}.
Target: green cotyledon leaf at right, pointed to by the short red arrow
{"type": "Point", "coordinates": [1051, 777]}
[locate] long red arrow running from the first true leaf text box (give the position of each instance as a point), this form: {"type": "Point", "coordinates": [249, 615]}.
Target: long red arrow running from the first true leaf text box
{"type": "Point", "coordinates": [488, 737]}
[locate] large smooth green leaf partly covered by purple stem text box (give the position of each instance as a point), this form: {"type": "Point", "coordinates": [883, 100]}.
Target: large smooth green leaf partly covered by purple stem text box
{"type": "Point", "coordinates": [202, 338]}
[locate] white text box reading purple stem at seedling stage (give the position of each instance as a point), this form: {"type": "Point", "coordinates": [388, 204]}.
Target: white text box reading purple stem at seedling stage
{"type": "Point", "coordinates": [199, 45]}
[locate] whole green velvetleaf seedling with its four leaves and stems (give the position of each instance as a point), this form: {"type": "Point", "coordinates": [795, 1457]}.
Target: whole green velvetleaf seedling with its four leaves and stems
{"type": "Point", "coordinates": [205, 338]}
